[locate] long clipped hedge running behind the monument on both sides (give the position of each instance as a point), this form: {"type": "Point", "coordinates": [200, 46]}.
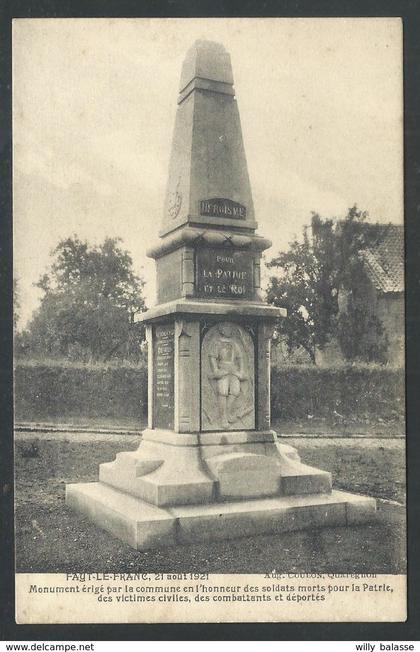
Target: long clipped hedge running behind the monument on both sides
{"type": "Point", "coordinates": [59, 390]}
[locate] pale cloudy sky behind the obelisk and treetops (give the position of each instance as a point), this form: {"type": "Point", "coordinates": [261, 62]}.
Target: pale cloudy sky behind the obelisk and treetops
{"type": "Point", "coordinates": [94, 103]}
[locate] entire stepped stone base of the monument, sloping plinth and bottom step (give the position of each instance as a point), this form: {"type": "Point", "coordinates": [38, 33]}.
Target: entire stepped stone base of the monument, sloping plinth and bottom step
{"type": "Point", "coordinates": [180, 488]}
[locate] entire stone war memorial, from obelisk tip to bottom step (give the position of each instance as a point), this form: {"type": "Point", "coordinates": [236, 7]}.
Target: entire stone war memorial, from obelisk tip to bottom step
{"type": "Point", "coordinates": [209, 466]}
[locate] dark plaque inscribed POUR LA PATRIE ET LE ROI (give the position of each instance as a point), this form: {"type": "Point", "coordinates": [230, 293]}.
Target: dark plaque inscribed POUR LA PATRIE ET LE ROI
{"type": "Point", "coordinates": [224, 274]}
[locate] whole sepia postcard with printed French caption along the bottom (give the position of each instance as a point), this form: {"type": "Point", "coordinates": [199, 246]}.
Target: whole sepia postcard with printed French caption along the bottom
{"type": "Point", "coordinates": [209, 320]}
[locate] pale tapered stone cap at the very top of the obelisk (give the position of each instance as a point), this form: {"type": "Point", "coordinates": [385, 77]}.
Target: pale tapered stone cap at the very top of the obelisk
{"type": "Point", "coordinates": [206, 60]}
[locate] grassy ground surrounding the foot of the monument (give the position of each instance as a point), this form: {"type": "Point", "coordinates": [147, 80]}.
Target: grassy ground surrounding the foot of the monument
{"type": "Point", "coordinates": [51, 538]}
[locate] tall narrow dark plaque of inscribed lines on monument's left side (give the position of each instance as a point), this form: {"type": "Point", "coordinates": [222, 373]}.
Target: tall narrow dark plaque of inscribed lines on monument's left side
{"type": "Point", "coordinates": [163, 377]}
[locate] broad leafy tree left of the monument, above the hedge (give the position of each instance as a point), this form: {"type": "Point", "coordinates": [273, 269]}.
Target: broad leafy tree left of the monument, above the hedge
{"type": "Point", "coordinates": [90, 297]}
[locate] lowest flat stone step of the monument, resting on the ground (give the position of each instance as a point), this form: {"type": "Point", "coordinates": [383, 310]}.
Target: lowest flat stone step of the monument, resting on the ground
{"type": "Point", "coordinates": [144, 526]}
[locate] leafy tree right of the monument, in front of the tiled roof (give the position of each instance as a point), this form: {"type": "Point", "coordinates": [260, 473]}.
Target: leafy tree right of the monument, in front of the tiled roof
{"type": "Point", "coordinates": [313, 274]}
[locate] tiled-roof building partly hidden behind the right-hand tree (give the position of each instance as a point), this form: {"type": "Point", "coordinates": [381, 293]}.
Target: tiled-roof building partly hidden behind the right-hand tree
{"type": "Point", "coordinates": [382, 293]}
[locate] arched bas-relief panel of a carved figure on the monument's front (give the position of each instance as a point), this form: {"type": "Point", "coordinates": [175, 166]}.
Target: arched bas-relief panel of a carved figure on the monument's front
{"type": "Point", "coordinates": [227, 379]}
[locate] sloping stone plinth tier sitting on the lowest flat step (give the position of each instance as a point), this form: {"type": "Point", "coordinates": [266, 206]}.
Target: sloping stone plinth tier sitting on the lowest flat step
{"type": "Point", "coordinates": [174, 469]}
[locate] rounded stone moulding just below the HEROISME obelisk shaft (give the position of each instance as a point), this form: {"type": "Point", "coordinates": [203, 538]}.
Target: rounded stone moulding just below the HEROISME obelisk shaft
{"type": "Point", "coordinates": [194, 236]}
